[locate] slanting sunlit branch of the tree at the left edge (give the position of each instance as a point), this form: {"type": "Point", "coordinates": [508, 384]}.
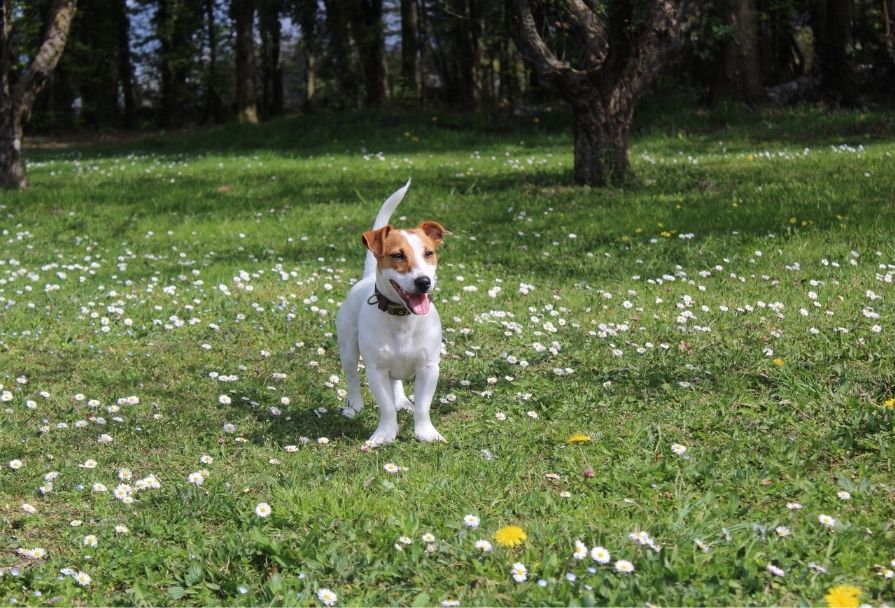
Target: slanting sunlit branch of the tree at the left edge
{"type": "Point", "coordinates": [37, 74]}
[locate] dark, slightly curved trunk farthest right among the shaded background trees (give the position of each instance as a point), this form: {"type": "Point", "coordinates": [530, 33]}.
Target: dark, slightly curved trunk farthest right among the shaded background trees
{"type": "Point", "coordinates": [831, 23]}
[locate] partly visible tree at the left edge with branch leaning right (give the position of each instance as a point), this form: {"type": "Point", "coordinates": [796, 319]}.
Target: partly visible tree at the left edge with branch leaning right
{"type": "Point", "coordinates": [17, 97]}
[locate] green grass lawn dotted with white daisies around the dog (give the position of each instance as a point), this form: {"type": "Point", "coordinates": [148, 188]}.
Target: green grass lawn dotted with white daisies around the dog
{"type": "Point", "coordinates": [110, 278]}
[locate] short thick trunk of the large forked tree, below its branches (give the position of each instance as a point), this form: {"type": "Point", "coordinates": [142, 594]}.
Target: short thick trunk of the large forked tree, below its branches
{"type": "Point", "coordinates": [601, 144]}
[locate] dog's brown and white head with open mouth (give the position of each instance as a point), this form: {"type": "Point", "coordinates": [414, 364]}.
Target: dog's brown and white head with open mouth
{"type": "Point", "coordinates": [406, 261]}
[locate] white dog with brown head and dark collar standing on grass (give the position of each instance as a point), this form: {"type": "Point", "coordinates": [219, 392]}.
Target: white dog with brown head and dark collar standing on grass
{"type": "Point", "coordinates": [388, 319]}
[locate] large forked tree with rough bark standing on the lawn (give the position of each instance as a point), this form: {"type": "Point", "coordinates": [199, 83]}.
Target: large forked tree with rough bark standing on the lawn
{"type": "Point", "coordinates": [614, 63]}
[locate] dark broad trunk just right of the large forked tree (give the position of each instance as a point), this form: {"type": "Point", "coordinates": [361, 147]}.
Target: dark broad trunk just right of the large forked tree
{"type": "Point", "coordinates": [738, 73]}
